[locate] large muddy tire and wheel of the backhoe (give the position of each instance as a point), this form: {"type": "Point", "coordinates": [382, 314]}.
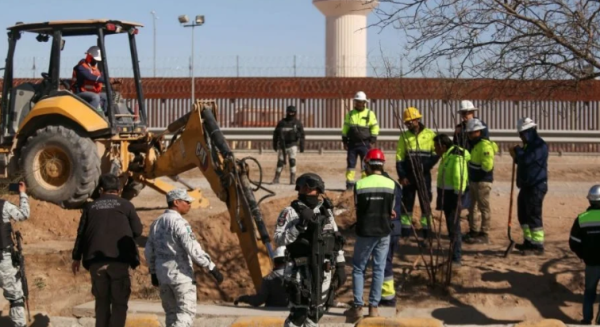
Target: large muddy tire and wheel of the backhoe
{"type": "Point", "coordinates": [60, 166]}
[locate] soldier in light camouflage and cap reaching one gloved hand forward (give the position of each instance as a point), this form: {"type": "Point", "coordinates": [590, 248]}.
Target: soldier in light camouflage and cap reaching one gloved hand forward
{"type": "Point", "coordinates": [170, 251]}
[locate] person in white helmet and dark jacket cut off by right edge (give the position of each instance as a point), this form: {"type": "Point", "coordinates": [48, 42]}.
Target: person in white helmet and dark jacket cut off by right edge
{"type": "Point", "coordinates": [585, 242]}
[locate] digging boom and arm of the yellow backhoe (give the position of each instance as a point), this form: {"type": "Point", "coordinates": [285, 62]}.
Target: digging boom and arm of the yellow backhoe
{"type": "Point", "coordinates": [190, 150]}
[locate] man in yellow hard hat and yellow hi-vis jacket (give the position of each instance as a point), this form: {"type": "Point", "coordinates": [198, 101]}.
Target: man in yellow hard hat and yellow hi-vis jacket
{"type": "Point", "coordinates": [415, 157]}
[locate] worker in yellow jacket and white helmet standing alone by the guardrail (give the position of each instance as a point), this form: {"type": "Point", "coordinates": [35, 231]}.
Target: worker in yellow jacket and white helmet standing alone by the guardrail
{"type": "Point", "coordinates": [359, 134]}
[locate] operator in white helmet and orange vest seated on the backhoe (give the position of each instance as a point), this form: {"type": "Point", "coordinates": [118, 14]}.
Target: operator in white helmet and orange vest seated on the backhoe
{"type": "Point", "coordinates": [87, 79]}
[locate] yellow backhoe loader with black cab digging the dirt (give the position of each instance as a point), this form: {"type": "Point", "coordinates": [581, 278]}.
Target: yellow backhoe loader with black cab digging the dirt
{"type": "Point", "coordinates": [60, 145]}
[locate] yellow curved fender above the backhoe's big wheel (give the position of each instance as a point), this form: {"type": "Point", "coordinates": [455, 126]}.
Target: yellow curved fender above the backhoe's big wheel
{"type": "Point", "coordinates": [68, 107]}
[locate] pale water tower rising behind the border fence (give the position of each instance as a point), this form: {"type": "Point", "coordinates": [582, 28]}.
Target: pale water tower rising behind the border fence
{"type": "Point", "coordinates": [346, 36]}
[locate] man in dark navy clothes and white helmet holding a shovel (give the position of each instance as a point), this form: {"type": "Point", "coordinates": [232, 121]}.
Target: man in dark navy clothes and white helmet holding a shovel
{"type": "Point", "coordinates": [532, 180]}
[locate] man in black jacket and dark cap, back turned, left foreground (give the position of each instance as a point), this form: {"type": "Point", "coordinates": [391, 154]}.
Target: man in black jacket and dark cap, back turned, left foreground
{"type": "Point", "coordinates": [105, 242]}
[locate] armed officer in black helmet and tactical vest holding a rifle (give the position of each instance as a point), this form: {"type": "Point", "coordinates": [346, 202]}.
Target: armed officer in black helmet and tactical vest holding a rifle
{"type": "Point", "coordinates": [315, 255]}
